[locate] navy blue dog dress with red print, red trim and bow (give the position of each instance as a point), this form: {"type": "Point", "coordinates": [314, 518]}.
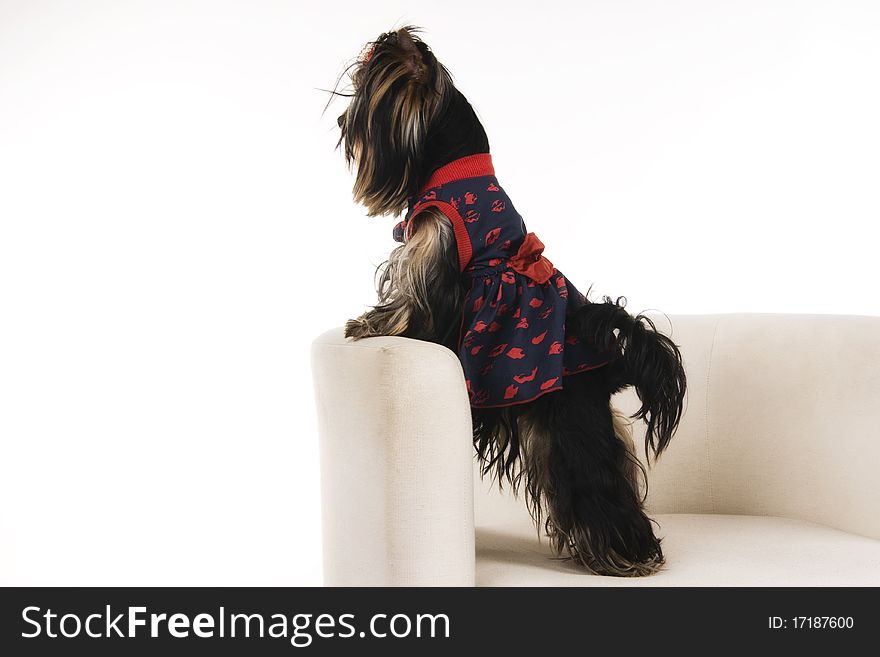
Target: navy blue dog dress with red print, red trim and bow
{"type": "Point", "coordinates": [513, 343]}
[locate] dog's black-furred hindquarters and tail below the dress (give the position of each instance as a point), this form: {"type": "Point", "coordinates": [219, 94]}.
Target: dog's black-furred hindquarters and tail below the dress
{"type": "Point", "coordinates": [578, 476]}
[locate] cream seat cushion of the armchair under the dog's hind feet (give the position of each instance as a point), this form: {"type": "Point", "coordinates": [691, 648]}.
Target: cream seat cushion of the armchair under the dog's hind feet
{"type": "Point", "coordinates": [700, 550]}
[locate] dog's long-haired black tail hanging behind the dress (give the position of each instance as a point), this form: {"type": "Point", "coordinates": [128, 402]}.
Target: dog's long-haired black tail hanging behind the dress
{"type": "Point", "coordinates": [646, 359]}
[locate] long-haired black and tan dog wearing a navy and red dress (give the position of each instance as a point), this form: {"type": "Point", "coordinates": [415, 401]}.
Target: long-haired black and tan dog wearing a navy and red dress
{"type": "Point", "coordinates": [541, 360]}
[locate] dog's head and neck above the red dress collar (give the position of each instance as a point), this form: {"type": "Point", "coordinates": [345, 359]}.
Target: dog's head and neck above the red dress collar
{"type": "Point", "coordinates": [405, 119]}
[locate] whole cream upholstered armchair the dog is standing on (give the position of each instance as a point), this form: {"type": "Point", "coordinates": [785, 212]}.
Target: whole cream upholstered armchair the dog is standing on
{"type": "Point", "coordinates": [772, 478]}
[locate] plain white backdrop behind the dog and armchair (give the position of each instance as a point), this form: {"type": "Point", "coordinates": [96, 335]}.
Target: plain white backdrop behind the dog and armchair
{"type": "Point", "coordinates": [175, 228]}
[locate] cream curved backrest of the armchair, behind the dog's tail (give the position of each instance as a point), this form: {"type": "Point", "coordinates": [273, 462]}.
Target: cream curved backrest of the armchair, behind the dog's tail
{"type": "Point", "coordinates": [780, 420]}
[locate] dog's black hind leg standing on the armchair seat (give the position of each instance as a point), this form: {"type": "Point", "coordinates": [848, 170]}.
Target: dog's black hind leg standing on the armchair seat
{"type": "Point", "coordinates": [582, 475]}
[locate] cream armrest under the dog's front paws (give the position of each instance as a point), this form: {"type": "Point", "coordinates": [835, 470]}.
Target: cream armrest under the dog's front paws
{"type": "Point", "coordinates": [396, 463]}
